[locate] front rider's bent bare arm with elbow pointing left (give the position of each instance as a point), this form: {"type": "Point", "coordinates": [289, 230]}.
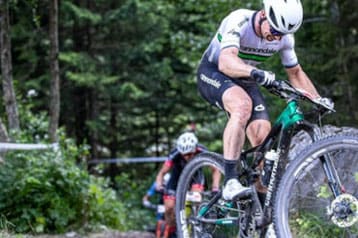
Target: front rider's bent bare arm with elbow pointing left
{"type": "Point", "coordinates": [231, 65]}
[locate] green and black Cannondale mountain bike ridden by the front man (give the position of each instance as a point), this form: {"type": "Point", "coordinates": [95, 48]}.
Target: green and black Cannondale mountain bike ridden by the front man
{"type": "Point", "coordinates": [312, 195]}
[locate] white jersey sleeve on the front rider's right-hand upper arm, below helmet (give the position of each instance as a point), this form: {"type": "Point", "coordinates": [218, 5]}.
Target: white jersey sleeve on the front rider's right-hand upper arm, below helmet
{"type": "Point", "coordinates": [287, 53]}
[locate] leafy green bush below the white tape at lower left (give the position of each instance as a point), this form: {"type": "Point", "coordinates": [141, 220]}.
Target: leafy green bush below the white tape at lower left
{"type": "Point", "coordinates": [43, 191]}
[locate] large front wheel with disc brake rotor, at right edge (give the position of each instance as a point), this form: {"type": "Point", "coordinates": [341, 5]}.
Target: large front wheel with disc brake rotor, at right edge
{"type": "Point", "coordinates": [306, 205]}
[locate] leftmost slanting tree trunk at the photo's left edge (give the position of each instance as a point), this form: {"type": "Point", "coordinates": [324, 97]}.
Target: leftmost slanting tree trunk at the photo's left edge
{"type": "Point", "coordinates": [6, 68]}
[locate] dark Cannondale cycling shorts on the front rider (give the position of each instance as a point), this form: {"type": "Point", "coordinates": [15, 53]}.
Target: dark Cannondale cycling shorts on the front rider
{"type": "Point", "coordinates": [212, 84]}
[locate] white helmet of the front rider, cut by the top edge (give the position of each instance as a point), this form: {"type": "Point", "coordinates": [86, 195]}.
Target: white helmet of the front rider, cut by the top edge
{"type": "Point", "coordinates": [284, 16]}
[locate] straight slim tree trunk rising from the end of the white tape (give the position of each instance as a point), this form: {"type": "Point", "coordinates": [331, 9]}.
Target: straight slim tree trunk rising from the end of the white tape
{"type": "Point", "coordinates": [55, 72]}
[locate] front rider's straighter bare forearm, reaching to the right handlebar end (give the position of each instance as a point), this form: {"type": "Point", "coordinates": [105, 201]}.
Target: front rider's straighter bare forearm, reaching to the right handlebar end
{"type": "Point", "coordinates": [300, 80]}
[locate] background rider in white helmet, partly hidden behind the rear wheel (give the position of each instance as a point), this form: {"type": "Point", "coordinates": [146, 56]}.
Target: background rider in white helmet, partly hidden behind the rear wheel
{"type": "Point", "coordinates": [187, 147]}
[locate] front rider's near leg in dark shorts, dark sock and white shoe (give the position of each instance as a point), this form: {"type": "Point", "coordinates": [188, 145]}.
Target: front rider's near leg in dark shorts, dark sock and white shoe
{"type": "Point", "coordinates": [222, 91]}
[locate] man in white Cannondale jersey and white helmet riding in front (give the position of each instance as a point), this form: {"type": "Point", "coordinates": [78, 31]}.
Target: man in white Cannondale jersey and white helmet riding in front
{"type": "Point", "coordinates": [229, 79]}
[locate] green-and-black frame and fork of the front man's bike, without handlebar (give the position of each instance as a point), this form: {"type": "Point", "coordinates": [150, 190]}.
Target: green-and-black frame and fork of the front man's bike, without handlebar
{"type": "Point", "coordinates": [290, 121]}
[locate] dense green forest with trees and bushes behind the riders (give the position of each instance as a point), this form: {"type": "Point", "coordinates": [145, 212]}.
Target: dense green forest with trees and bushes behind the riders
{"type": "Point", "coordinates": [116, 79]}
